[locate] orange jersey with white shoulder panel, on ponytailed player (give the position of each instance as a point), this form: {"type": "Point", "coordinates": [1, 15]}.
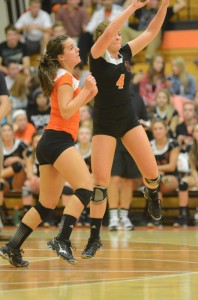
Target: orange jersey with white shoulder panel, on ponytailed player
{"type": "Point", "coordinates": [56, 121]}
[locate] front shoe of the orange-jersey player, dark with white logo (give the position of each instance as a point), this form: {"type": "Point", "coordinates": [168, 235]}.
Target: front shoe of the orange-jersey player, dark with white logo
{"type": "Point", "coordinates": [63, 249]}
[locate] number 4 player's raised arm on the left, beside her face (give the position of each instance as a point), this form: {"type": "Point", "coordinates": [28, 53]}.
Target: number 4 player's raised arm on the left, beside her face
{"type": "Point", "coordinates": [100, 46]}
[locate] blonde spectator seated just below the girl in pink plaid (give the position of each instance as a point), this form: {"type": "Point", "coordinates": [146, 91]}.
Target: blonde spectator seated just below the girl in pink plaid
{"type": "Point", "coordinates": [166, 112]}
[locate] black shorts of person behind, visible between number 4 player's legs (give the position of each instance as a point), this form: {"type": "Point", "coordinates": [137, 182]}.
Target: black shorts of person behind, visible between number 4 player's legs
{"type": "Point", "coordinates": [124, 166]}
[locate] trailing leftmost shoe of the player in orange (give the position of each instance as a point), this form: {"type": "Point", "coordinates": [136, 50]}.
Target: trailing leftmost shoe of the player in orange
{"type": "Point", "coordinates": [13, 256]}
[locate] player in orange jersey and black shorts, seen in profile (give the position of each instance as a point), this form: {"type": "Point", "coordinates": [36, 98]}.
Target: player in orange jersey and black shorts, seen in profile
{"type": "Point", "coordinates": [59, 160]}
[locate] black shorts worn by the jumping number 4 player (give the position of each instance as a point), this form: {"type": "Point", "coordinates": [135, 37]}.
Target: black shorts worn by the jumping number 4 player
{"type": "Point", "coordinates": [115, 122]}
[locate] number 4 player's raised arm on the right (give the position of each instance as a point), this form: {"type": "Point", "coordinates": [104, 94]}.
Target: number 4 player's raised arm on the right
{"type": "Point", "coordinates": [152, 30]}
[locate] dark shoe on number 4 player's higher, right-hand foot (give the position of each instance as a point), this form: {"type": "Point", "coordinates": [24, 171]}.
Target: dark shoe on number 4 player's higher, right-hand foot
{"type": "Point", "coordinates": [154, 205]}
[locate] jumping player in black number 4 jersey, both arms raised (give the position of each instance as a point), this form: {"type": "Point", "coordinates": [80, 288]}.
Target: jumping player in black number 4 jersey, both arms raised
{"type": "Point", "coordinates": [114, 115]}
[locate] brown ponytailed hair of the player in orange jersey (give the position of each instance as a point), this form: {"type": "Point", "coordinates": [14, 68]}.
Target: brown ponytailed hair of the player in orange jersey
{"type": "Point", "coordinates": [49, 63]}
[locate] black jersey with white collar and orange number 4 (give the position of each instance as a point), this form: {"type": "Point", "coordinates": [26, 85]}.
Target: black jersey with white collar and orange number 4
{"type": "Point", "coordinates": [113, 78]}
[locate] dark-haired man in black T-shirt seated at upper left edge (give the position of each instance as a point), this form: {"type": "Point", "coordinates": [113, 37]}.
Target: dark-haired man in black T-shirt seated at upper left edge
{"type": "Point", "coordinates": [13, 49]}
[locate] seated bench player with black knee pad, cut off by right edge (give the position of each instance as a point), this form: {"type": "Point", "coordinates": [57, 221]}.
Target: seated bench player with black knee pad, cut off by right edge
{"type": "Point", "coordinates": [188, 182]}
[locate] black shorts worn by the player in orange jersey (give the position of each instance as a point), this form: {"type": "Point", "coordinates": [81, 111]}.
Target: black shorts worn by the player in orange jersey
{"type": "Point", "coordinates": [51, 145]}
